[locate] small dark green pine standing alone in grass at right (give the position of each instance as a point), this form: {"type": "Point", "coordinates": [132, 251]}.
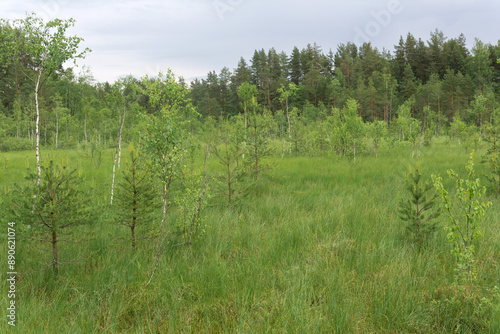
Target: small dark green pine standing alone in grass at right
{"type": "Point", "coordinates": [419, 210]}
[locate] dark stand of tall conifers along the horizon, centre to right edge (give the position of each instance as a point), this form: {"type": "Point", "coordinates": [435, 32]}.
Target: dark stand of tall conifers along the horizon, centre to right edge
{"type": "Point", "coordinates": [440, 73]}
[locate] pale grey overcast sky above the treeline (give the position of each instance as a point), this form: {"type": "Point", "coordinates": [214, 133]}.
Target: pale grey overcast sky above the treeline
{"type": "Point", "coordinates": [193, 37]}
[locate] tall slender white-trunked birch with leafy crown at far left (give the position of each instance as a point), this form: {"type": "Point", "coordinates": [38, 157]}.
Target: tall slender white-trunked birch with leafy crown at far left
{"type": "Point", "coordinates": [42, 48]}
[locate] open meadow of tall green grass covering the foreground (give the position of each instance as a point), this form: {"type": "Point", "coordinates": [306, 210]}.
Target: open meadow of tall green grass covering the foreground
{"type": "Point", "coordinates": [317, 248]}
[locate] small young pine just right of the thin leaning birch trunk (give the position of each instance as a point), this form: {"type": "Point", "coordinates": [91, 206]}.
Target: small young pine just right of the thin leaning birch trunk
{"type": "Point", "coordinates": [135, 196]}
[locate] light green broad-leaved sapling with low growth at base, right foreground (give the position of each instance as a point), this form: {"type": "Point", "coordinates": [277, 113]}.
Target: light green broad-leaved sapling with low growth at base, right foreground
{"type": "Point", "coordinates": [463, 307]}
